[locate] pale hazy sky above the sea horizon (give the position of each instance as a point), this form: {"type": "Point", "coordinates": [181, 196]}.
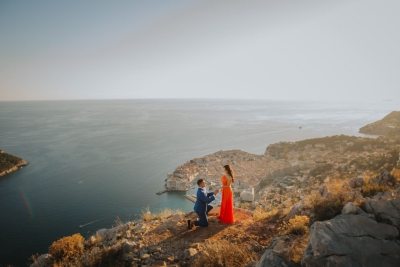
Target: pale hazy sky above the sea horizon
{"type": "Point", "coordinates": [228, 49]}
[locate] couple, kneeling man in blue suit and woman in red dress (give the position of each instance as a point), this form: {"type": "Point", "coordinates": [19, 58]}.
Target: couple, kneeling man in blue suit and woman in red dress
{"type": "Point", "coordinates": [202, 207]}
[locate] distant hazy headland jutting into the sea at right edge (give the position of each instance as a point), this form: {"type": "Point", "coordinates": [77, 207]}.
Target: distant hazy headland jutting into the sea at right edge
{"type": "Point", "coordinates": [390, 124]}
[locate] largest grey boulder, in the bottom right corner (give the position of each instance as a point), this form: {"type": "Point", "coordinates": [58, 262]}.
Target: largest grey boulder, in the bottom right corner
{"type": "Point", "coordinates": [352, 240]}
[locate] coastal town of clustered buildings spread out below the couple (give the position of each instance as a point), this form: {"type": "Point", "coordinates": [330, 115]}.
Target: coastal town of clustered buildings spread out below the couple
{"type": "Point", "coordinates": [274, 179]}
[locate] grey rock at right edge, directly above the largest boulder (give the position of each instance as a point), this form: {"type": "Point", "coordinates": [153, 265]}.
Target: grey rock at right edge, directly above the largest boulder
{"type": "Point", "coordinates": [387, 211]}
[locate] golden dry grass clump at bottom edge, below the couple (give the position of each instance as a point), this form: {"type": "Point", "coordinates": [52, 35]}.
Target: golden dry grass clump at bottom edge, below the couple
{"type": "Point", "coordinates": [221, 254]}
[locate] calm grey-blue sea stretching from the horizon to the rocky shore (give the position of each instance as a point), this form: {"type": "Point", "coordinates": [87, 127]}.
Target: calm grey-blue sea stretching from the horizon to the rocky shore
{"type": "Point", "coordinates": [91, 161]}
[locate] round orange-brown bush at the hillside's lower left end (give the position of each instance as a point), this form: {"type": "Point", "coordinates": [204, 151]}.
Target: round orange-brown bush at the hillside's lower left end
{"type": "Point", "coordinates": [67, 247]}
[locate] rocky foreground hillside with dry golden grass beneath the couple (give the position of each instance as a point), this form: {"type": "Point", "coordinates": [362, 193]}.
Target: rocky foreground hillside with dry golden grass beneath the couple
{"type": "Point", "coordinates": [353, 222]}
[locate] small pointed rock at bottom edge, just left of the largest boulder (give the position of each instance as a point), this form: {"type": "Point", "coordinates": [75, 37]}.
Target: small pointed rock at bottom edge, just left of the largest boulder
{"type": "Point", "coordinates": [273, 256]}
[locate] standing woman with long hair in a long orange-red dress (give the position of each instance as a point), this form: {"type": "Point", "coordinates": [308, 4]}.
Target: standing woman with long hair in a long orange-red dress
{"type": "Point", "coordinates": [226, 210]}
